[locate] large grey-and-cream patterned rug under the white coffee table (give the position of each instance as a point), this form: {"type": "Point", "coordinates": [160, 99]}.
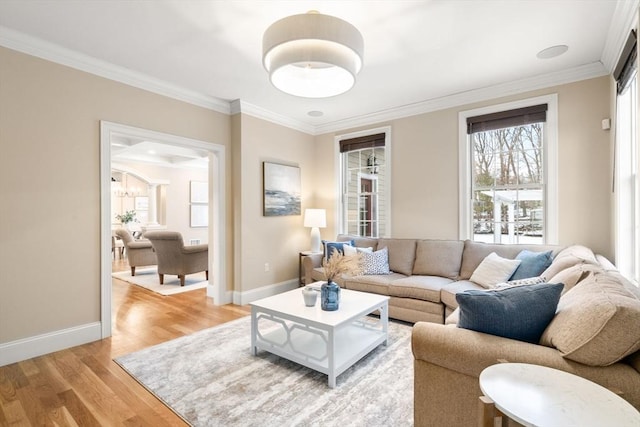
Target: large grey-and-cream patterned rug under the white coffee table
{"type": "Point", "coordinates": [210, 378]}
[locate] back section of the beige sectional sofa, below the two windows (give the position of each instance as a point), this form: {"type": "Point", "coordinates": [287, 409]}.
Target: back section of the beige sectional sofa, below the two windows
{"type": "Point", "coordinates": [426, 273]}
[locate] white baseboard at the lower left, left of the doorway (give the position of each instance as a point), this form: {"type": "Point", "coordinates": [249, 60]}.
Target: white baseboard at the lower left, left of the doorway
{"type": "Point", "coordinates": [26, 348]}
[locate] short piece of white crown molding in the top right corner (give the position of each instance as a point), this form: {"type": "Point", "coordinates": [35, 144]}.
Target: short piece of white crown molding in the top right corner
{"type": "Point", "coordinates": [623, 21]}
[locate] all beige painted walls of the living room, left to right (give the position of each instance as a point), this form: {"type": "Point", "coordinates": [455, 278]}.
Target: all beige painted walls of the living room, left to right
{"type": "Point", "coordinates": [50, 190]}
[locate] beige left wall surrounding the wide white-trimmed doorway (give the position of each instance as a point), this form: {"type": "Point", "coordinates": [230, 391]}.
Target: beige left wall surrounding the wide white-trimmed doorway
{"type": "Point", "coordinates": [50, 191]}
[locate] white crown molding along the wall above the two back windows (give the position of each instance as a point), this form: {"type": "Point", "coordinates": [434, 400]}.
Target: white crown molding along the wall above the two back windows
{"type": "Point", "coordinates": [583, 72]}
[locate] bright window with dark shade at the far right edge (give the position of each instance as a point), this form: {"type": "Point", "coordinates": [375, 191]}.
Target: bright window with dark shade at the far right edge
{"type": "Point", "coordinates": [627, 182]}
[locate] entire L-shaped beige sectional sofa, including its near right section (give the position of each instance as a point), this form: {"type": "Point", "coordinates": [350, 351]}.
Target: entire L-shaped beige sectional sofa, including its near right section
{"type": "Point", "coordinates": [595, 332]}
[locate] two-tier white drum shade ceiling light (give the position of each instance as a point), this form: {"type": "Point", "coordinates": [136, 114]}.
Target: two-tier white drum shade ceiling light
{"type": "Point", "coordinates": [312, 55]}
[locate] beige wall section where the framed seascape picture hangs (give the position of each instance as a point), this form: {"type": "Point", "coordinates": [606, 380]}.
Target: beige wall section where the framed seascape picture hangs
{"type": "Point", "coordinates": [259, 239]}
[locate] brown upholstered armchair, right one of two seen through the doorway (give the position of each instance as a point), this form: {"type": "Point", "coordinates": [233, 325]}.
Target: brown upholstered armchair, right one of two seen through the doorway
{"type": "Point", "coordinates": [175, 258]}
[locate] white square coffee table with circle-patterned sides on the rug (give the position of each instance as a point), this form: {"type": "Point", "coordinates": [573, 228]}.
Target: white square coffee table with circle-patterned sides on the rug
{"type": "Point", "coordinates": [326, 341]}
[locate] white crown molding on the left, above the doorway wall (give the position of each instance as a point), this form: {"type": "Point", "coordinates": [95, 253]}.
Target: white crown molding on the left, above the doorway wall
{"type": "Point", "coordinates": [52, 52]}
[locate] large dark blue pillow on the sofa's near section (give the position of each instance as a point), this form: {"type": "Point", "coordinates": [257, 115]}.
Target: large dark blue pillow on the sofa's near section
{"type": "Point", "coordinates": [520, 313]}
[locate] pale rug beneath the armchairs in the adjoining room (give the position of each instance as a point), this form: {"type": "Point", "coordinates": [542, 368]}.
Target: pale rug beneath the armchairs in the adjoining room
{"type": "Point", "coordinates": [148, 279]}
